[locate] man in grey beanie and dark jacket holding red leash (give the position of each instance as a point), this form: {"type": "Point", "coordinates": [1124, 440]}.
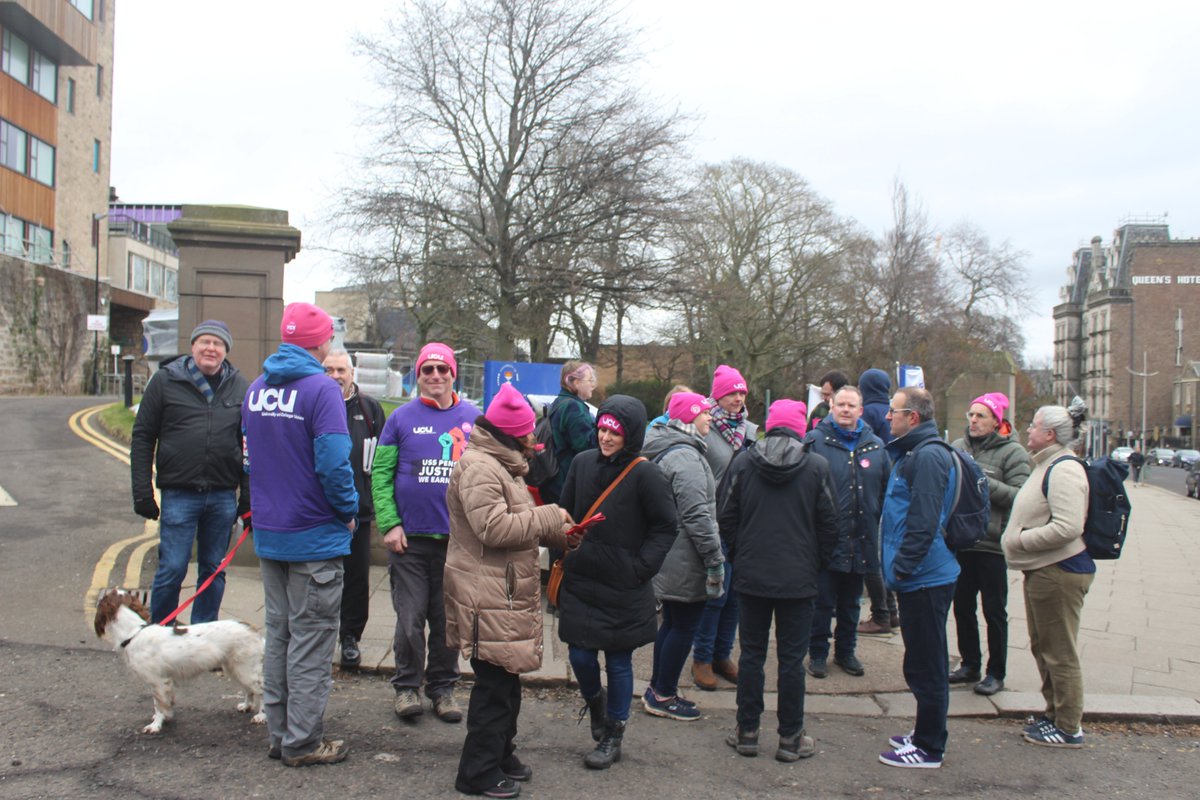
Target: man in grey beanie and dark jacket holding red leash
{"type": "Point", "coordinates": [189, 426]}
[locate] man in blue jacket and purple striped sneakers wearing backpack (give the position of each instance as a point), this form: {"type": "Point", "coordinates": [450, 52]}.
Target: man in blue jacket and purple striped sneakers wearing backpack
{"type": "Point", "coordinates": [921, 569]}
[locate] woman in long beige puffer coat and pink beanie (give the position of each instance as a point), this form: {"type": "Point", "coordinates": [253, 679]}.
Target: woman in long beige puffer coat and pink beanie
{"type": "Point", "coordinates": [494, 587]}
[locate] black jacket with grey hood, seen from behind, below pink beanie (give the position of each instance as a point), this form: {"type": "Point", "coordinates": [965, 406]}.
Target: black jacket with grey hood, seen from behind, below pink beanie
{"type": "Point", "coordinates": [779, 515]}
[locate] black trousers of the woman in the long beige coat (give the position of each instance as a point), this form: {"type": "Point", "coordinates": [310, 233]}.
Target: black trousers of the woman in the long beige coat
{"type": "Point", "coordinates": [491, 727]}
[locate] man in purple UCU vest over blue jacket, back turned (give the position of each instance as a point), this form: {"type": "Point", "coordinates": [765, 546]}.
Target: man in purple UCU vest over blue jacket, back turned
{"type": "Point", "coordinates": [298, 456]}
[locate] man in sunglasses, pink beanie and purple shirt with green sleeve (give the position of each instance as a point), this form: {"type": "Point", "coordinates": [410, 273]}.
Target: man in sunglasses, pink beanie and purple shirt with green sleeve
{"type": "Point", "coordinates": [418, 449]}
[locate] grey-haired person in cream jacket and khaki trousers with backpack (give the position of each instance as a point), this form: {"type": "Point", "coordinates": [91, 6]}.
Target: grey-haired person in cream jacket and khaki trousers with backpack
{"type": "Point", "coordinates": [1045, 540]}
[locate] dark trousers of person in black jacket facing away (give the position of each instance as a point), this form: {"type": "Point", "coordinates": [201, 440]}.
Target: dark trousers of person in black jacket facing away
{"type": "Point", "coordinates": [794, 623]}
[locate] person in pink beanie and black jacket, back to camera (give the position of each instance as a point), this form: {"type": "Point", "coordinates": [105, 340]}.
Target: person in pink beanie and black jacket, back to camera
{"type": "Point", "coordinates": [779, 514]}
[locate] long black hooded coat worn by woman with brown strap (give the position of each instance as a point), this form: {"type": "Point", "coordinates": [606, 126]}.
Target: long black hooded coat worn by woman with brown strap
{"type": "Point", "coordinates": [607, 601]}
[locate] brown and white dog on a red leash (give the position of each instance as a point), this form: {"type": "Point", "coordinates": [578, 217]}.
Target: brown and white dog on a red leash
{"type": "Point", "coordinates": [165, 655]}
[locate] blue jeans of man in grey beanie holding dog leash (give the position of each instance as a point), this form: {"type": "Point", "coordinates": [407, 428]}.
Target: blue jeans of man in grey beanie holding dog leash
{"type": "Point", "coordinates": [202, 518]}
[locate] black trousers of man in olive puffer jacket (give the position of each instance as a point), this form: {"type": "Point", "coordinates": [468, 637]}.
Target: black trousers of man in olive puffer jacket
{"type": "Point", "coordinates": [985, 575]}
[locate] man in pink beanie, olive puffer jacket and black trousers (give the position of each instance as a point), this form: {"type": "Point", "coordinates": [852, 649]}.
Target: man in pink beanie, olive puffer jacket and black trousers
{"type": "Point", "coordinates": [985, 573]}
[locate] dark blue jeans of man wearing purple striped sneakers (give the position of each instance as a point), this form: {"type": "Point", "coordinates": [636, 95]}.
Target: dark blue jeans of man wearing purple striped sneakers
{"type": "Point", "coordinates": [927, 663]}
